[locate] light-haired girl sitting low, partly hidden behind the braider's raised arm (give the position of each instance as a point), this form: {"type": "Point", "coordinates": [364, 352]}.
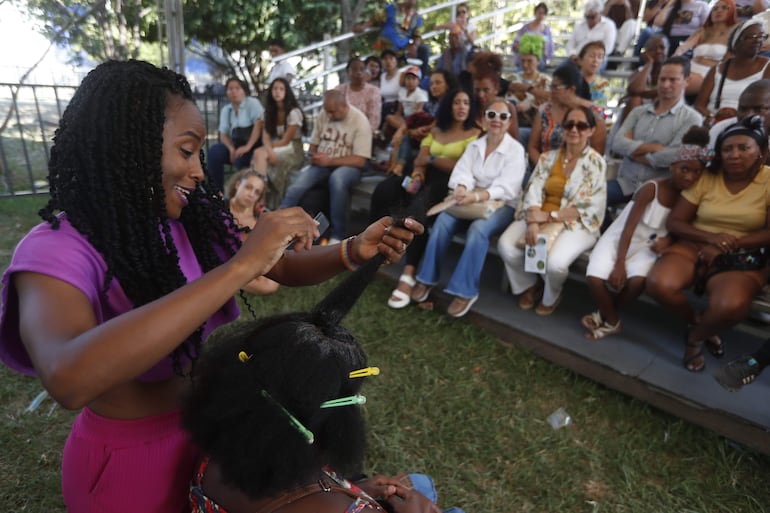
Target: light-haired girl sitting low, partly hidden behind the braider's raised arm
{"type": "Point", "coordinates": [245, 198]}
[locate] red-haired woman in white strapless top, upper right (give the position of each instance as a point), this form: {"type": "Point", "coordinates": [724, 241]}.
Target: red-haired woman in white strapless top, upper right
{"type": "Point", "coordinates": [708, 43]}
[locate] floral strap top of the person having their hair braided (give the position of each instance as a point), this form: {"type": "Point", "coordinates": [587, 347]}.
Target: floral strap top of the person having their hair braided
{"type": "Point", "coordinates": [329, 483]}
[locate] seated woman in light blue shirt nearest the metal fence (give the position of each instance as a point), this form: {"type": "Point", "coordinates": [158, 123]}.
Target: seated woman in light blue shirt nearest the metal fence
{"type": "Point", "coordinates": [240, 127]}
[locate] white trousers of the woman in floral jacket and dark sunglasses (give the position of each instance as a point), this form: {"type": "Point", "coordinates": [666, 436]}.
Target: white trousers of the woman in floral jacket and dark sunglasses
{"type": "Point", "coordinates": [566, 249]}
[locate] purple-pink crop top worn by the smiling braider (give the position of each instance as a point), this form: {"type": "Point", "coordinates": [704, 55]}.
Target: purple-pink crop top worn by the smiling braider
{"type": "Point", "coordinates": [65, 254]}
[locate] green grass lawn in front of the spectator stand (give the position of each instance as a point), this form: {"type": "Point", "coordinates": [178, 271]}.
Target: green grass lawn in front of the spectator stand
{"type": "Point", "coordinates": [460, 405]}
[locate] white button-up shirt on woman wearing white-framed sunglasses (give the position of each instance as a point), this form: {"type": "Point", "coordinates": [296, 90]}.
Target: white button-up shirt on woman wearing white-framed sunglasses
{"type": "Point", "coordinates": [501, 174]}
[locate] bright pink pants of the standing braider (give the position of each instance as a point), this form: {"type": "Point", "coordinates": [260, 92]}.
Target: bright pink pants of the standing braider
{"type": "Point", "coordinates": [115, 466]}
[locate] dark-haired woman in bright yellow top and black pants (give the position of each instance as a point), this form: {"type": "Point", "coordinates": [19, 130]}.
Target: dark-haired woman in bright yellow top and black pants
{"type": "Point", "coordinates": [439, 151]}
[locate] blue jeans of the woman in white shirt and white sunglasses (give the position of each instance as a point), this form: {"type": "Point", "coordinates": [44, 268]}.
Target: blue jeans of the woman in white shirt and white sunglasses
{"type": "Point", "coordinates": [465, 279]}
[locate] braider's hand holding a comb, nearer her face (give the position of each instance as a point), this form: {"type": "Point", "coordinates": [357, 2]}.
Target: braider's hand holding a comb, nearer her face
{"type": "Point", "coordinates": [268, 240]}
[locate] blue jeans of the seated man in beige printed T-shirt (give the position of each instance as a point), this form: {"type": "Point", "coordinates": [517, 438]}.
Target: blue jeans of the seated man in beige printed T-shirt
{"type": "Point", "coordinates": [340, 180]}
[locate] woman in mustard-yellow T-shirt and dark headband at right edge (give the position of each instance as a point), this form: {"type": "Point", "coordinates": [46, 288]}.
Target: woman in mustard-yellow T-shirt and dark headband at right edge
{"type": "Point", "coordinates": [722, 226]}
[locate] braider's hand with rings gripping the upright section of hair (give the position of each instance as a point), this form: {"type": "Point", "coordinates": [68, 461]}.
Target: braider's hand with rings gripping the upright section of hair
{"type": "Point", "coordinates": [385, 237]}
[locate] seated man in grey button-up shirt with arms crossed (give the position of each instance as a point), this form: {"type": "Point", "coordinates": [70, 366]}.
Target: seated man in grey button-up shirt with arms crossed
{"type": "Point", "coordinates": [651, 134]}
